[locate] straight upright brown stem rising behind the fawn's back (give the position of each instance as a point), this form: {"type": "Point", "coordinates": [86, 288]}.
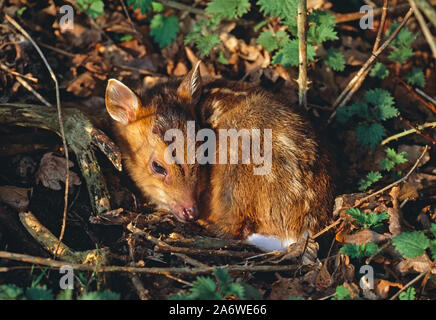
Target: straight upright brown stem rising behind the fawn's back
{"type": "Point", "coordinates": [302, 53]}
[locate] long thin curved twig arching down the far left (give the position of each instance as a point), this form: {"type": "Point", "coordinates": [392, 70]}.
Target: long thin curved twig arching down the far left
{"type": "Point", "coordinates": [61, 126]}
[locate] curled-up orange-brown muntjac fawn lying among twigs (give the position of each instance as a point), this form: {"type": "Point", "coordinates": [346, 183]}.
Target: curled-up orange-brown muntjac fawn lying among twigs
{"type": "Point", "coordinates": [288, 198]}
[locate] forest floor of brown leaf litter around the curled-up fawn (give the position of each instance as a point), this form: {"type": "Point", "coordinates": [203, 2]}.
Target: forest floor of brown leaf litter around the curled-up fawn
{"type": "Point", "coordinates": [173, 255]}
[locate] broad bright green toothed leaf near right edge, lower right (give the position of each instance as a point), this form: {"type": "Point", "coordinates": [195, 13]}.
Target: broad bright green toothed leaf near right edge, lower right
{"type": "Point", "coordinates": [411, 244]}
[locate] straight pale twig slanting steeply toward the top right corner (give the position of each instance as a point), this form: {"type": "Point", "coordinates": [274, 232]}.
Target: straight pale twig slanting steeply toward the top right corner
{"type": "Point", "coordinates": [368, 64]}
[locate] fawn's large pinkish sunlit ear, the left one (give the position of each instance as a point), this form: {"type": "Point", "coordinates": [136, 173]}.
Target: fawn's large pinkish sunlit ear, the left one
{"type": "Point", "coordinates": [121, 102]}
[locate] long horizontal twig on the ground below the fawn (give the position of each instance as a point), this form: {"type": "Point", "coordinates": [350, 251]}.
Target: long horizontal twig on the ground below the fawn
{"type": "Point", "coordinates": [152, 270]}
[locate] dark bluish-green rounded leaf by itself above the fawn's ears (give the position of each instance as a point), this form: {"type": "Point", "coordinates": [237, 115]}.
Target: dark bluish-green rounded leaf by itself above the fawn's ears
{"type": "Point", "coordinates": [164, 29]}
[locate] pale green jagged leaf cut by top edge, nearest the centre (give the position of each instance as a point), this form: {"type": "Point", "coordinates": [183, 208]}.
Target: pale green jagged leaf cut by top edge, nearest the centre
{"type": "Point", "coordinates": [227, 9]}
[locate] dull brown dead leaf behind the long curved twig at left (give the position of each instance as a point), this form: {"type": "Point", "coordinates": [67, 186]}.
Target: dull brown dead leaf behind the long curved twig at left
{"type": "Point", "coordinates": [52, 171]}
